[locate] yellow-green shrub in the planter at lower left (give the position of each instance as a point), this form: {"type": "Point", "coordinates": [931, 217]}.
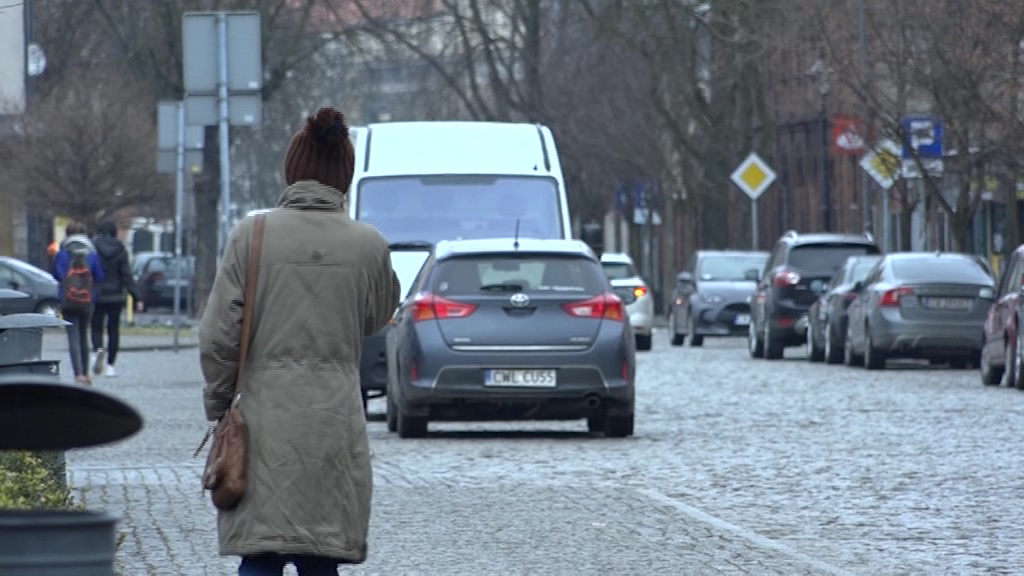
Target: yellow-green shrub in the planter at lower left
{"type": "Point", "coordinates": [28, 482]}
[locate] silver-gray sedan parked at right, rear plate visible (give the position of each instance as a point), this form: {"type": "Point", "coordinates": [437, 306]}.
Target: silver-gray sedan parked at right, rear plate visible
{"type": "Point", "coordinates": [920, 305]}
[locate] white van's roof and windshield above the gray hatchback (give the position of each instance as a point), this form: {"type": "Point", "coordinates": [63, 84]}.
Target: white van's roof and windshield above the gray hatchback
{"type": "Point", "coordinates": [426, 182]}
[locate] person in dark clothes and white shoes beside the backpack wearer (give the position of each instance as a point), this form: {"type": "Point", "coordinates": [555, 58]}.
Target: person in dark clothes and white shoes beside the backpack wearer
{"type": "Point", "coordinates": [111, 299]}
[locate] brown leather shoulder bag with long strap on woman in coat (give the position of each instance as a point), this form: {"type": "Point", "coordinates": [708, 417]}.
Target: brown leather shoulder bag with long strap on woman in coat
{"type": "Point", "coordinates": [225, 475]}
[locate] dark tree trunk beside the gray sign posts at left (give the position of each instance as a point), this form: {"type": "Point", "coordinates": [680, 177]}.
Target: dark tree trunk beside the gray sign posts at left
{"type": "Point", "coordinates": [207, 220]}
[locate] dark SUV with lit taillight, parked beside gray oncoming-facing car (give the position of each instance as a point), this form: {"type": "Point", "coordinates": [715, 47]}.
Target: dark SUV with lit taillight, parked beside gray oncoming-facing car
{"type": "Point", "coordinates": [794, 278]}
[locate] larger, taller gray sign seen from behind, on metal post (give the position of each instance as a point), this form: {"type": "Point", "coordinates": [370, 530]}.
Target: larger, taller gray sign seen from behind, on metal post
{"type": "Point", "coordinates": [224, 80]}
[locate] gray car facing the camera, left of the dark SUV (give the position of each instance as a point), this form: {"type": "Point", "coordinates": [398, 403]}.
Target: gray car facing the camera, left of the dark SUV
{"type": "Point", "coordinates": [712, 296]}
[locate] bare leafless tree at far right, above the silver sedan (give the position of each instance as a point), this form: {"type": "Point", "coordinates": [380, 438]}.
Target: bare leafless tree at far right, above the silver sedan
{"type": "Point", "coordinates": [948, 60]}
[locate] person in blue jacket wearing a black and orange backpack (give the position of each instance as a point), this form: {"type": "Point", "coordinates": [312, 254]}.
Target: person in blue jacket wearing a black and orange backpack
{"type": "Point", "coordinates": [78, 269]}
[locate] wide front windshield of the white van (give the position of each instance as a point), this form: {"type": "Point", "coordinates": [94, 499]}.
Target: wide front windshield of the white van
{"type": "Point", "coordinates": [461, 208]}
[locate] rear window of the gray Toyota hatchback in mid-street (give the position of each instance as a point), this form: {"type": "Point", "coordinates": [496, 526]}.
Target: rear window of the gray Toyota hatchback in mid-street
{"type": "Point", "coordinates": [501, 273]}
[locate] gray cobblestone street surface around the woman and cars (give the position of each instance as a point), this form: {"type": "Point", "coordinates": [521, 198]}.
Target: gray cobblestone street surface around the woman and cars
{"type": "Point", "coordinates": [738, 467]}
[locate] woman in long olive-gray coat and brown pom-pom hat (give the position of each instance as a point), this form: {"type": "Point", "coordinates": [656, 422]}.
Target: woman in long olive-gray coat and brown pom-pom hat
{"type": "Point", "coordinates": [324, 282]}
